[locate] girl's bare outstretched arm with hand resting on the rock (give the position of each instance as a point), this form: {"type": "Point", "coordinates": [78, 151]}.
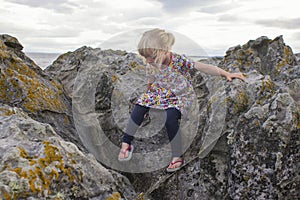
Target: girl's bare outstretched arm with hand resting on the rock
{"type": "Point", "coordinates": [214, 70]}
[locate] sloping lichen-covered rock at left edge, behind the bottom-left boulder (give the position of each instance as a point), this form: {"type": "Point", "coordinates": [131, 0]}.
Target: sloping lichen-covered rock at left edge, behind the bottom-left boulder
{"type": "Point", "coordinates": [27, 86]}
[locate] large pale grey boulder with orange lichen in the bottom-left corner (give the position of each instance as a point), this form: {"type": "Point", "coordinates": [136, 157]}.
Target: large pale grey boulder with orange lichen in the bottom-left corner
{"type": "Point", "coordinates": [36, 163]}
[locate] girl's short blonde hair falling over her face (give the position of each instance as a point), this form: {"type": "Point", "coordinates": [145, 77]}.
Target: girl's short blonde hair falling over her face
{"type": "Point", "coordinates": [155, 42]}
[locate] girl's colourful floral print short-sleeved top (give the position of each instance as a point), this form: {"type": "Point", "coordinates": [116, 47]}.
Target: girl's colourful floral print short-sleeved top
{"type": "Point", "coordinates": [171, 86]}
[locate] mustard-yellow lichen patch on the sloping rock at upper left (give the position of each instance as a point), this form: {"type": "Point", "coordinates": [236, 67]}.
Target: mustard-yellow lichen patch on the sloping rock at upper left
{"type": "Point", "coordinates": [21, 82]}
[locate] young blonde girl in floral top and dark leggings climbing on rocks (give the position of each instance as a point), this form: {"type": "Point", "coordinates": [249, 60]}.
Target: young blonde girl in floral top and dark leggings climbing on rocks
{"type": "Point", "coordinates": [169, 89]}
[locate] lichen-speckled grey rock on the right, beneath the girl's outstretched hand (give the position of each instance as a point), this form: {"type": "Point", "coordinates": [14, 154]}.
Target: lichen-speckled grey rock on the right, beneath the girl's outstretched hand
{"type": "Point", "coordinates": [265, 143]}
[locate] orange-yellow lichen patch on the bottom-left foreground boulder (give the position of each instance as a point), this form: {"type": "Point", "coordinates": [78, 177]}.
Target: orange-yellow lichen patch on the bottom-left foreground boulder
{"type": "Point", "coordinates": [44, 170]}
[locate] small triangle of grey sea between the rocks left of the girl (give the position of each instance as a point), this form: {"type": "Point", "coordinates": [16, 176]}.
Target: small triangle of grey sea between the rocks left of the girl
{"type": "Point", "coordinates": [43, 60]}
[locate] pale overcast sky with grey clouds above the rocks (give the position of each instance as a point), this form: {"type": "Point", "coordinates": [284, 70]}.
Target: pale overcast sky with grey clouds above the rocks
{"type": "Point", "coordinates": [214, 25]}
